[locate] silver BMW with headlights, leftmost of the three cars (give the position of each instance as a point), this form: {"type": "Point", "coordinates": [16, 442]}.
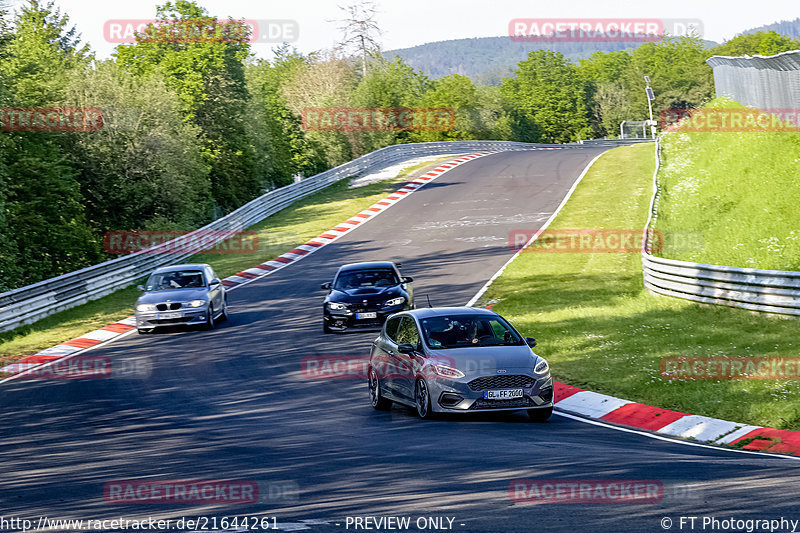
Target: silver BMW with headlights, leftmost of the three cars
{"type": "Point", "coordinates": [181, 295]}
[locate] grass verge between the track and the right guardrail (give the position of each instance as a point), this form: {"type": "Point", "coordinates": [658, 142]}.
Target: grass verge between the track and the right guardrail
{"type": "Point", "coordinates": [601, 330]}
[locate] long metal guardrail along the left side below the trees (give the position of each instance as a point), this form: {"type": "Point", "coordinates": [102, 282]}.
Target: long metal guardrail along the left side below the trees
{"type": "Point", "coordinates": [34, 302]}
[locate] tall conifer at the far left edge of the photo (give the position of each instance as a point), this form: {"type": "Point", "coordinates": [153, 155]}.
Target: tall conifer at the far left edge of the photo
{"type": "Point", "coordinates": [43, 213]}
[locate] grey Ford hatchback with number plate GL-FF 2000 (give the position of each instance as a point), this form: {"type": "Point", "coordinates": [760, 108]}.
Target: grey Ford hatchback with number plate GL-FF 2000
{"type": "Point", "coordinates": [457, 360]}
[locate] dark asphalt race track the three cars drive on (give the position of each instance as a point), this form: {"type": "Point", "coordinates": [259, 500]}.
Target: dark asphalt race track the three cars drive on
{"type": "Point", "coordinates": [233, 404]}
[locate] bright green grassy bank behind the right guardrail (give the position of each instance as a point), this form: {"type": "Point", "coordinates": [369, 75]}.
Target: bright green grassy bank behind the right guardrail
{"type": "Point", "coordinates": [735, 192]}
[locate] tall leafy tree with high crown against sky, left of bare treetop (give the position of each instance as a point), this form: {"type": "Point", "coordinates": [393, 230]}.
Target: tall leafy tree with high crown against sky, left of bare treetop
{"type": "Point", "coordinates": [208, 76]}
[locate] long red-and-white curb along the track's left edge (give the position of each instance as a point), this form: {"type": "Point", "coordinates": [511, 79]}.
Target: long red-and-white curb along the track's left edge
{"type": "Point", "coordinates": [114, 331]}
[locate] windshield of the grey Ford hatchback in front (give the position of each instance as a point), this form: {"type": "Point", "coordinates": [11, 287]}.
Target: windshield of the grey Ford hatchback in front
{"type": "Point", "coordinates": [462, 331]}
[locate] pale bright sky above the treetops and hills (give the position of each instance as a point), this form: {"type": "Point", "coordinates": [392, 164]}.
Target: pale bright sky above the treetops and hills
{"type": "Point", "coordinates": [406, 23]}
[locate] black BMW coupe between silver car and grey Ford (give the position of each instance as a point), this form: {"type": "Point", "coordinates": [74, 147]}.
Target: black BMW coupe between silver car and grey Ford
{"type": "Point", "coordinates": [362, 295]}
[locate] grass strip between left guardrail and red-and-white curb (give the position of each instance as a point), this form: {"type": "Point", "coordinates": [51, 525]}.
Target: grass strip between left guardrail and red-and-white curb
{"type": "Point", "coordinates": [277, 234]}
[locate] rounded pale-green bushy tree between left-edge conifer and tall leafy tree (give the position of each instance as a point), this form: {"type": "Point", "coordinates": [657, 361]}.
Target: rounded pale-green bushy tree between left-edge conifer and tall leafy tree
{"type": "Point", "coordinates": [145, 168]}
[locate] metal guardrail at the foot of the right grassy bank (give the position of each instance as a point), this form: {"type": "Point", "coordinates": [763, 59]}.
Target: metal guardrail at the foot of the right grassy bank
{"type": "Point", "coordinates": [769, 291]}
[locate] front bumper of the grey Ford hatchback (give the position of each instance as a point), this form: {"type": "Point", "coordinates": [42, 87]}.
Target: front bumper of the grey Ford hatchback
{"type": "Point", "coordinates": [457, 396]}
